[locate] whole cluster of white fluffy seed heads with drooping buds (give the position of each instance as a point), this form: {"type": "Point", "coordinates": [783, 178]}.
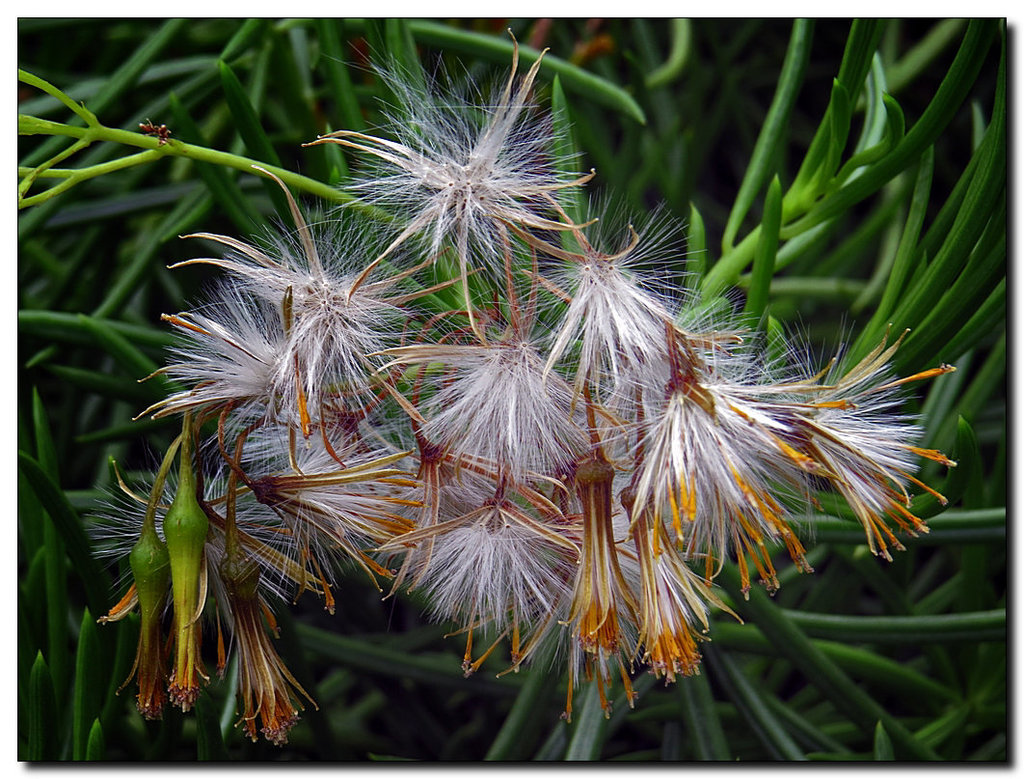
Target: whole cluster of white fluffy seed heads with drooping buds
{"type": "Point", "coordinates": [496, 404]}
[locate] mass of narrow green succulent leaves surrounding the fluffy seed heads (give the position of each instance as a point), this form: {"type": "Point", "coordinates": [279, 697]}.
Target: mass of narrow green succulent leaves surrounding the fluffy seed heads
{"type": "Point", "coordinates": [840, 176]}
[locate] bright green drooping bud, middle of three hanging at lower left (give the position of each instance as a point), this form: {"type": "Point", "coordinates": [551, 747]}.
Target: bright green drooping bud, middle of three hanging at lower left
{"type": "Point", "coordinates": [186, 528]}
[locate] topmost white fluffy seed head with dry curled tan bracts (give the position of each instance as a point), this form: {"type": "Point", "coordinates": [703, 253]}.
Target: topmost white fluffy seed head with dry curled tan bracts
{"type": "Point", "coordinates": [457, 168]}
